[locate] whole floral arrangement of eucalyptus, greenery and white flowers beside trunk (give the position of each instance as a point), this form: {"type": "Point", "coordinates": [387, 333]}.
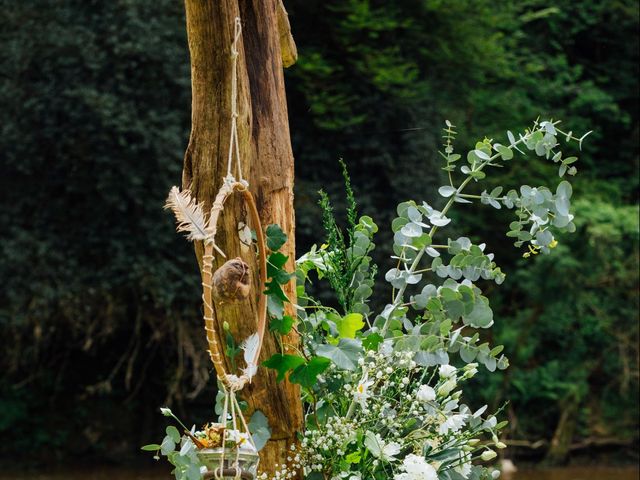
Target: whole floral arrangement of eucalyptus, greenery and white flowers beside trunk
{"type": "Point", "coordinates": [383, 390]}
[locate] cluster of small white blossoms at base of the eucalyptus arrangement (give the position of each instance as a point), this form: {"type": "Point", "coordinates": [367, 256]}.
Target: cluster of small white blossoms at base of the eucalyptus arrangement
{"type": "Point", "coordinates": [387, 419]}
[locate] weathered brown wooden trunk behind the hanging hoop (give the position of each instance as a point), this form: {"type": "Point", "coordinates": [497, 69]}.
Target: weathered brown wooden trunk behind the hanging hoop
{"type": "Point", "coordinates": [267, 164]}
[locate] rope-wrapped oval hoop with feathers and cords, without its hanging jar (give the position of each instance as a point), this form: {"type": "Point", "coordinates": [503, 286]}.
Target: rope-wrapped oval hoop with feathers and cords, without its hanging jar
{"type": "Point", "coordinates": [191, 219]}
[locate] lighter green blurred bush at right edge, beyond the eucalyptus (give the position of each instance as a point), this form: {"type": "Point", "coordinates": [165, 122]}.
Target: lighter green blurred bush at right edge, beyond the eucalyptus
{"type": "Point", "coordinates": [572, 319]}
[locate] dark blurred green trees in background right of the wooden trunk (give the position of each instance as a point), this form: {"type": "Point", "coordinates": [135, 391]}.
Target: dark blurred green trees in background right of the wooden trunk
{"type": "Point", "coordinates": [488, 65]}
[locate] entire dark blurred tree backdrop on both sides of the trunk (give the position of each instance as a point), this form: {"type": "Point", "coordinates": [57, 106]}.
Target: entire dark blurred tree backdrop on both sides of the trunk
{"type": "Point", "coordinates": [99, 307]}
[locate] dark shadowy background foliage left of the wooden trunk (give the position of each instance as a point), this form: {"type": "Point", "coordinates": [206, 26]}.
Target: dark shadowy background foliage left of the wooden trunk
{"type": "Point", "coordinates": [96, 288]}
